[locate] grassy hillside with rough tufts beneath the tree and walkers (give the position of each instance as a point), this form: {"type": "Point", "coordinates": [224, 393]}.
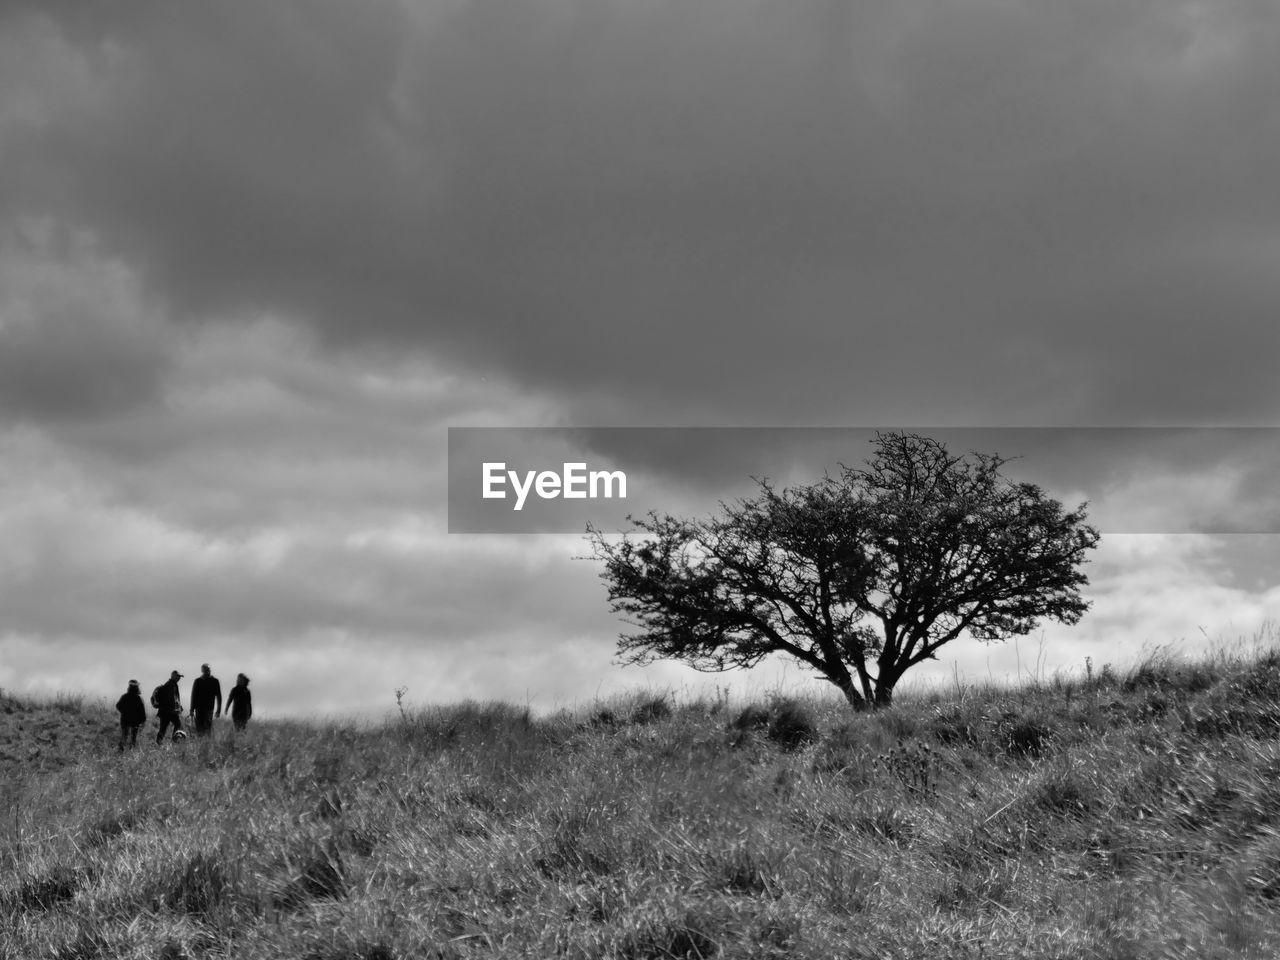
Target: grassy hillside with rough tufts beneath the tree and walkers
{"type": "Point", "coordinates": [1132, 816]}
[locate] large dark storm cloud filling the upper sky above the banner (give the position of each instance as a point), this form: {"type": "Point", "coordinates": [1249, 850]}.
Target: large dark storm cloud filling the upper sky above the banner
{"type": "Point", "coordinates": [816, 212]}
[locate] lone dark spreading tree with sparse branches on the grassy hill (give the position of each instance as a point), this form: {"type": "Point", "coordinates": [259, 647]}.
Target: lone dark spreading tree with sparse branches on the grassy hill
{"type": "Point", "coordinates": [860, 577]}
